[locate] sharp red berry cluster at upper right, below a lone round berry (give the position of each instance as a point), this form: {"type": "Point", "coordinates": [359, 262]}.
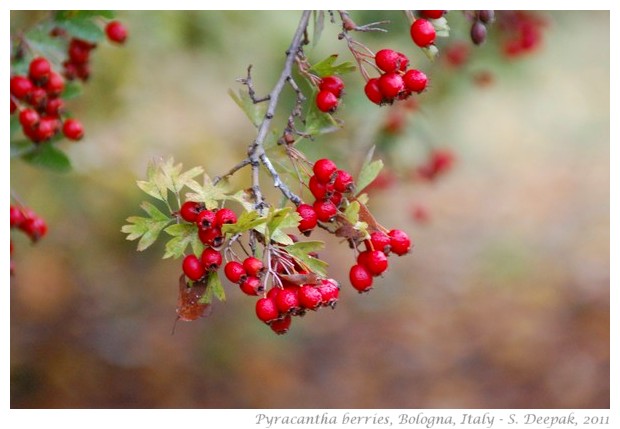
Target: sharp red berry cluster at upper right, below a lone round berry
{"type": "Point", "coordinates": [396, 82]}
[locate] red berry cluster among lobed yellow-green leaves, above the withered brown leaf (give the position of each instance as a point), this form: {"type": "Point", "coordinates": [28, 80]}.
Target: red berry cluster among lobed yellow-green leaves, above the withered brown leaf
{"type": "Point", "coordinates": [209, 224]}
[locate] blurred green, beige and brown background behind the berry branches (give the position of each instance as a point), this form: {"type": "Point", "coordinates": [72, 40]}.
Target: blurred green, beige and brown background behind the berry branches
{"type": "Point", "coordinates": [503, 303]}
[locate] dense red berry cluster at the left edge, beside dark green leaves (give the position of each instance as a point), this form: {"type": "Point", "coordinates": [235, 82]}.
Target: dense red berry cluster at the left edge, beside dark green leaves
{"type": "Point", "coordinates": [42, 90]}
